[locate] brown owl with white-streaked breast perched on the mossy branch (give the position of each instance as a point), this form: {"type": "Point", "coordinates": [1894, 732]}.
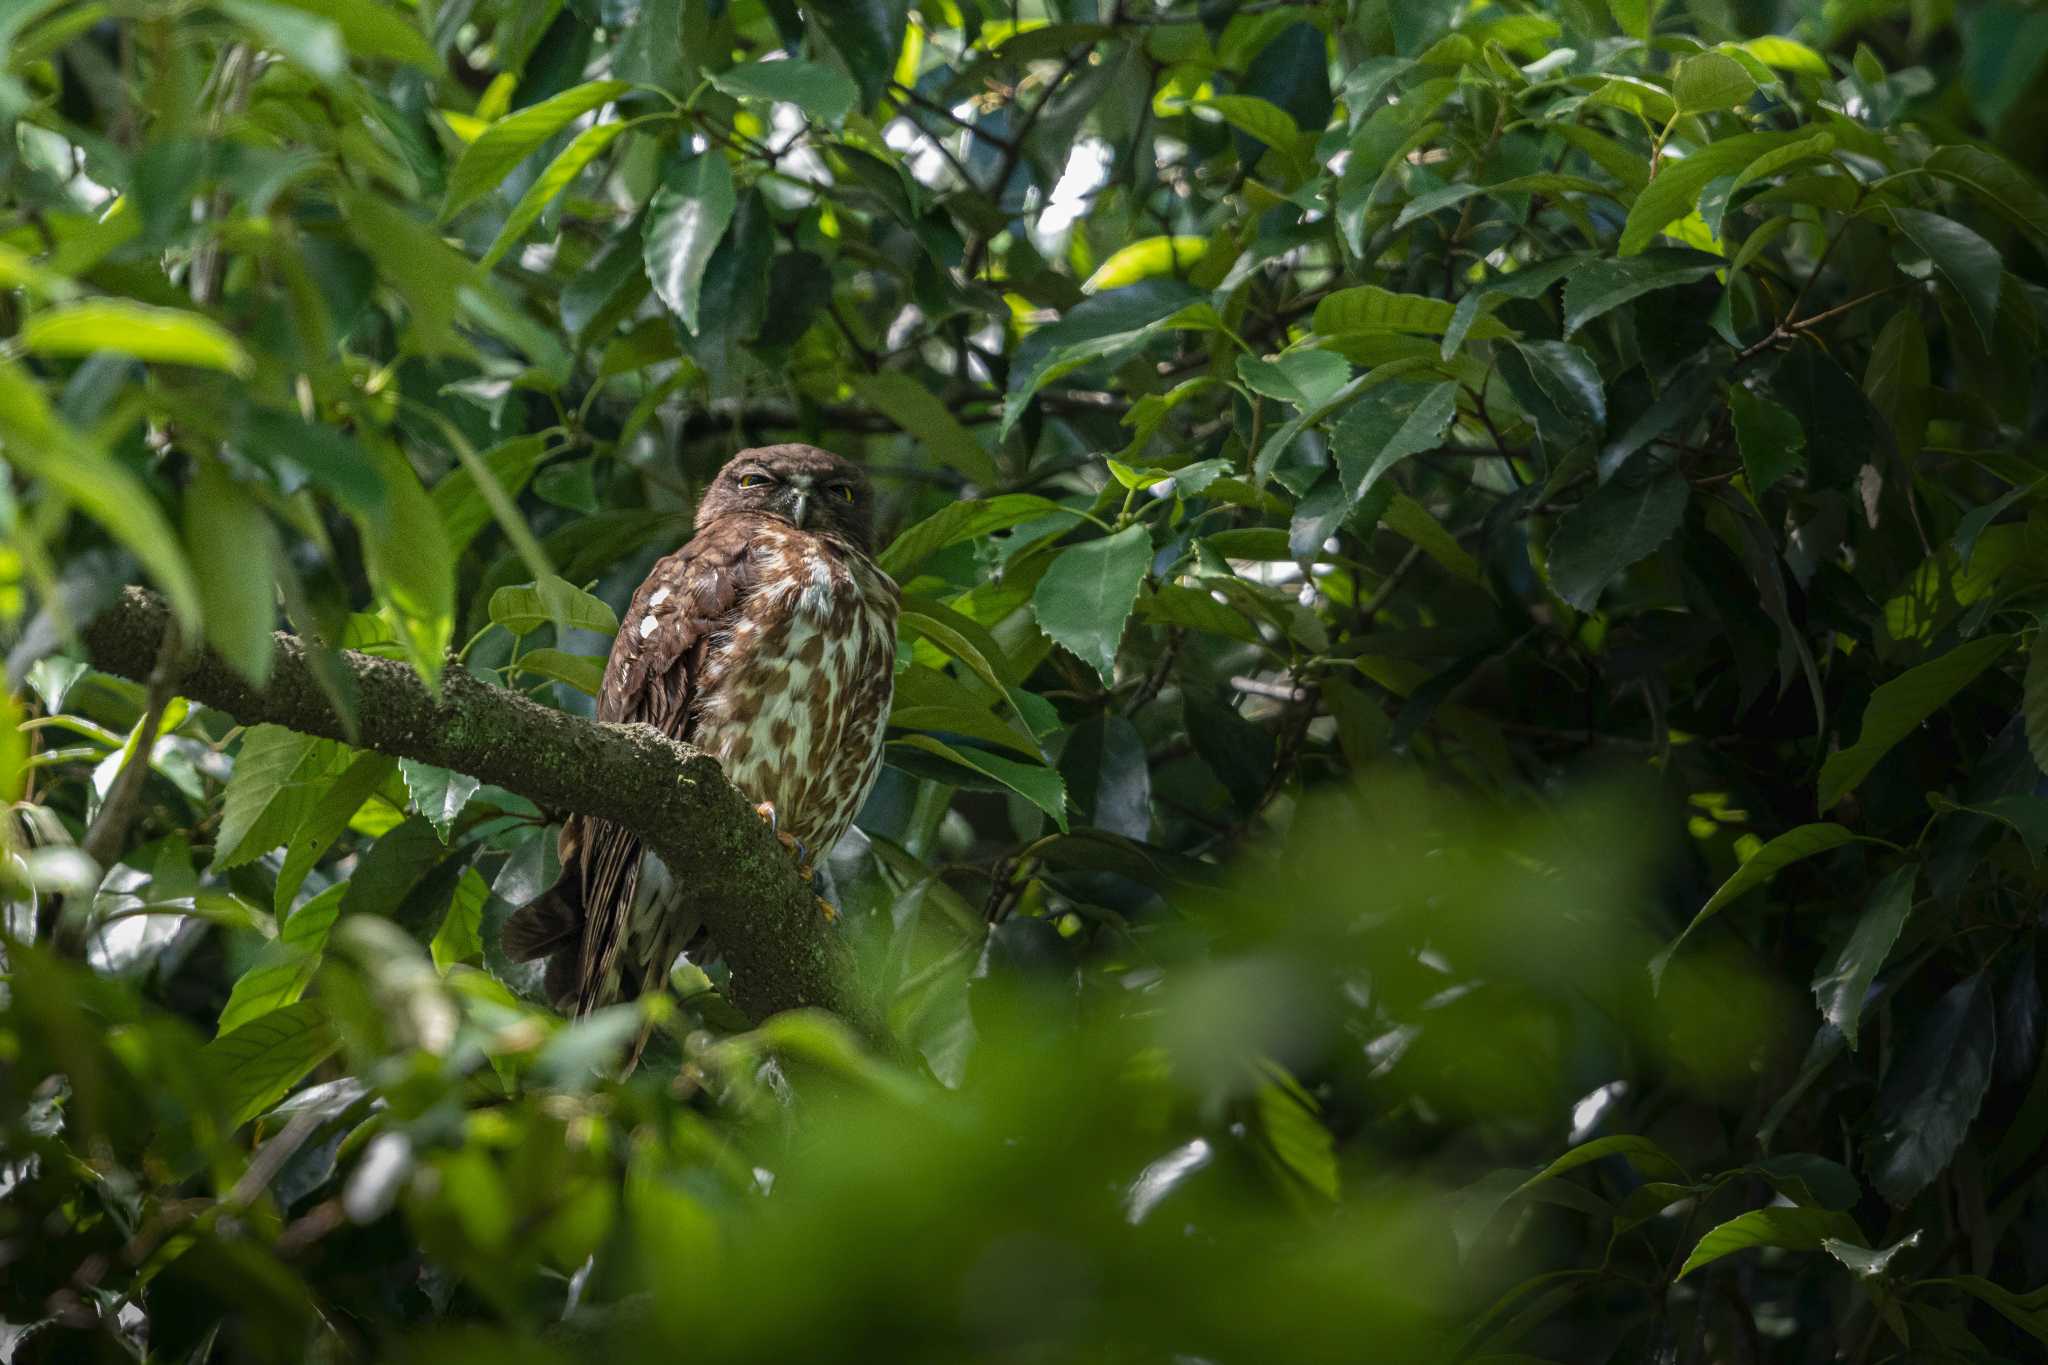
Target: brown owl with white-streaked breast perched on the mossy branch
{"type": "Point", "coordinates": [769, 642]}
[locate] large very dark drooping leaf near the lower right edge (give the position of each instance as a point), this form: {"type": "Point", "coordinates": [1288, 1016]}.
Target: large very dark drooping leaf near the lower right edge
{"type": "Point", "coordinates": [1932, 1092]}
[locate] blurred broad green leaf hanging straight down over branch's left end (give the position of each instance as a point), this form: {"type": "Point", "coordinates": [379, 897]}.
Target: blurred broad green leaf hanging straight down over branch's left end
{"type": "Point", "coordinates": [232, 547]}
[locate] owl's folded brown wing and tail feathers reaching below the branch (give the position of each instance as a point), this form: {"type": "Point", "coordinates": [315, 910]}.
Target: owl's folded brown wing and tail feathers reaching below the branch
{"type": "Point", "coordinates": [652, 678]}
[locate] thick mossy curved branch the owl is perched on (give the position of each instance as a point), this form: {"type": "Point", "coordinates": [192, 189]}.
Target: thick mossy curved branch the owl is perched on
{"type": "Point", "coordinates": [671, 795]}
